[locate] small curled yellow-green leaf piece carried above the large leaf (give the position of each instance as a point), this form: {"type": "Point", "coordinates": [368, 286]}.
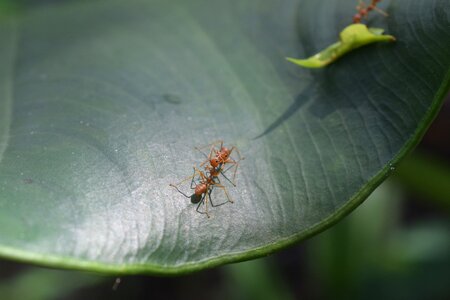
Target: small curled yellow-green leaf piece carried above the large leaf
{"type": "Point", "coordinates": [352, 37]}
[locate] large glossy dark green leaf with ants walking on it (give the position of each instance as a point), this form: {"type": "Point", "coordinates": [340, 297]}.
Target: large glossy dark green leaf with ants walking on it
{"type": "Point", "coordinates": [102, 103]}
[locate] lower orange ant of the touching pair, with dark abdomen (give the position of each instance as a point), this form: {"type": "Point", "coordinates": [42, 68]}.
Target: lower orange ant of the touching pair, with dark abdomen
{"type": "Point", "coordinates": [203, 190]}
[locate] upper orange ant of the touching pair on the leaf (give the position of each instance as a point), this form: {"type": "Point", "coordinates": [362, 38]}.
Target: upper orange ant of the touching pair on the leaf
{"type": "Point", "coordinates": [220, 158]}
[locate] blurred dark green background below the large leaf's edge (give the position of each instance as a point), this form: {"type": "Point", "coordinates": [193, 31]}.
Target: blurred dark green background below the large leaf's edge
{"type": "Point", "coordinates": [396, 245]}
